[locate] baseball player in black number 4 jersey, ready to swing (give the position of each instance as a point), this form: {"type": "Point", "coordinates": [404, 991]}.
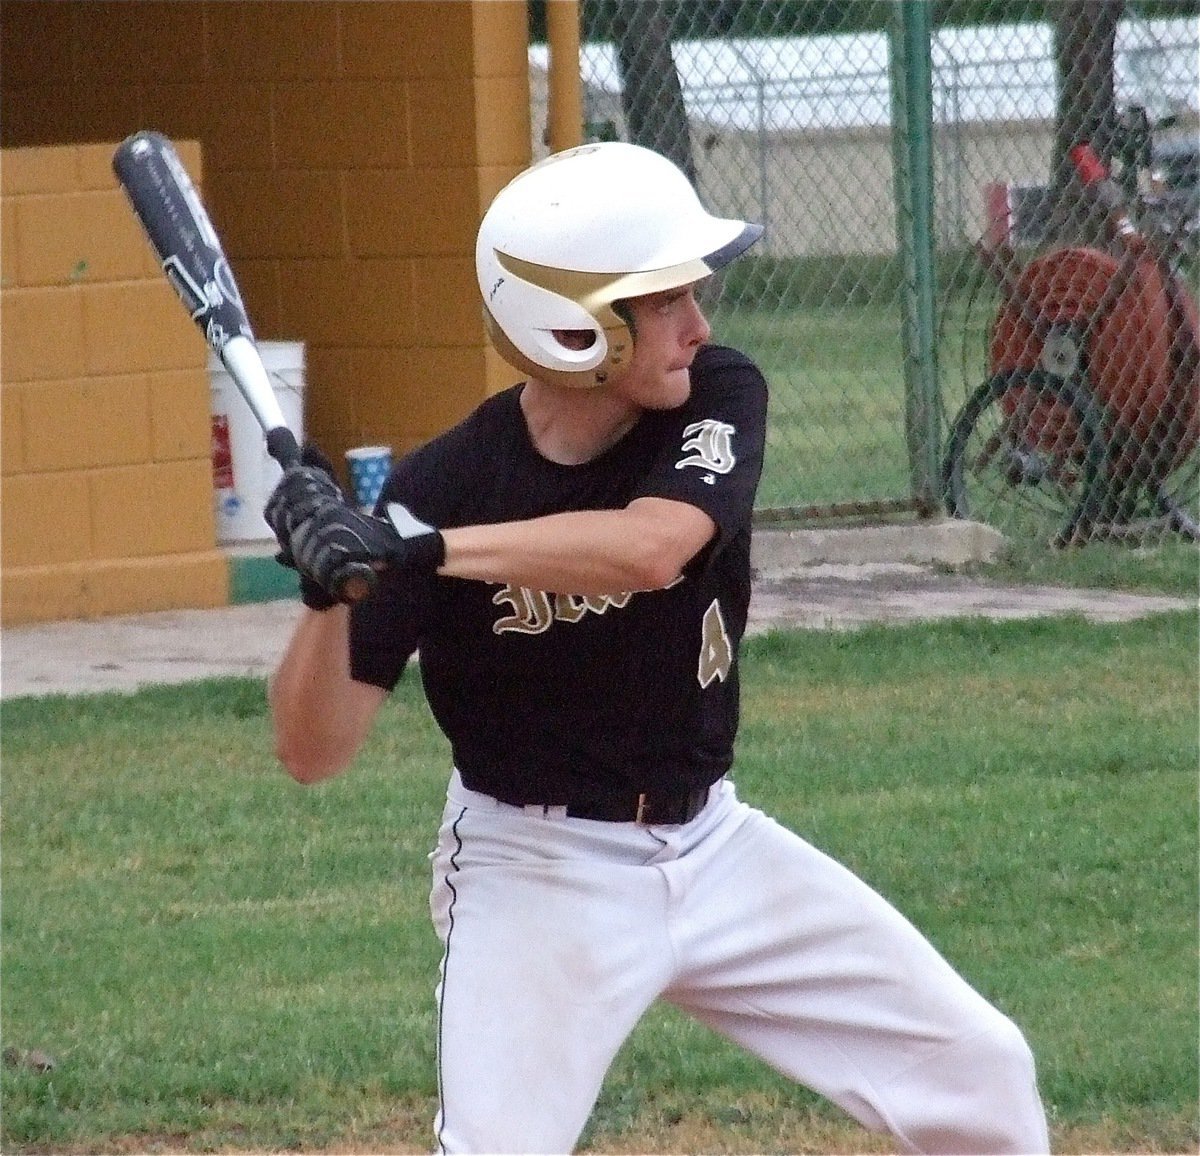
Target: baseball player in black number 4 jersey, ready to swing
{"type": "Point", "coordinates": [572, 564]}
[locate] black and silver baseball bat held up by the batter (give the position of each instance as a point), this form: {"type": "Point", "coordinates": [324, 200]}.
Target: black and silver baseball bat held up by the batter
{"type": "Point", "coordinates": [178, 227]}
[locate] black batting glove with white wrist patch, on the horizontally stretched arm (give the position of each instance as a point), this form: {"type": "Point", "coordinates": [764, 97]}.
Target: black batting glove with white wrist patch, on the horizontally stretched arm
{"type": "Point", "coordinates": [337, 535]}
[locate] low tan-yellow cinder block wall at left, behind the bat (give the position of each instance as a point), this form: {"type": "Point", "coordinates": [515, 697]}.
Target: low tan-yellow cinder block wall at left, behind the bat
{"type": "Point", "coordinates": [106, 499]}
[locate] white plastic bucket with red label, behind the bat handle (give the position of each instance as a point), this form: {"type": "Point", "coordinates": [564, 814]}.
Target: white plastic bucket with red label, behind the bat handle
{"type": "Point", "coordinates": [244, 475]}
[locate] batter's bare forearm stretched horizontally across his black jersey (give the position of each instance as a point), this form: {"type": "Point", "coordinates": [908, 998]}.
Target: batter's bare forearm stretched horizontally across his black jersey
{"type": "Point", "coordinates": [581, 553]}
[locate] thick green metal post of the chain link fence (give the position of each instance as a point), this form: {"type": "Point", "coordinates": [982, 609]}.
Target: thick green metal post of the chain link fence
{"type": "Point", "coordinates": [913, 146]}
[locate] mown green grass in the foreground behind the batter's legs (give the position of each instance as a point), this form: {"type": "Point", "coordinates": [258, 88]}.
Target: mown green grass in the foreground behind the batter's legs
{"type": "Point", "coordinates": [221, 960]}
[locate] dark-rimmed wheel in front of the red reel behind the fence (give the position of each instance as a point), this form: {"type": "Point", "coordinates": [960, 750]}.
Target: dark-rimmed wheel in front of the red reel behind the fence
{"type": "Point", "coordinates": [1027, 454]}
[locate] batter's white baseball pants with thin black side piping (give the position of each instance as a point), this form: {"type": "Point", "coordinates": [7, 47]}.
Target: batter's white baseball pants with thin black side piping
{"type": "Point", "coordinates": [560, 933]}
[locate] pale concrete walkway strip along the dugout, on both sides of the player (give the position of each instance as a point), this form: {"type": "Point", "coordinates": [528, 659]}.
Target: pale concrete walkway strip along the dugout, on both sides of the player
{"type": "Point", "coordinates": [818, 579]}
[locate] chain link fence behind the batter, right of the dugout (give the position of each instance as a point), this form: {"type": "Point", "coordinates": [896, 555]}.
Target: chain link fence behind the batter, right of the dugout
{"type": "Point", "coordinates": [1060, 374]}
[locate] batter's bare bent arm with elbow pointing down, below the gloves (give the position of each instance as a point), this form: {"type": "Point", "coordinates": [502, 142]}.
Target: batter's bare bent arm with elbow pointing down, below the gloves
{"type": "Point", "coordinates": [321, 715]}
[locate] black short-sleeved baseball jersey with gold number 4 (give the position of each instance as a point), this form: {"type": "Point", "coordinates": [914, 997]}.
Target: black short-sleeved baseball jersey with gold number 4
{"type": "Point", "coordinates": [550, 697]}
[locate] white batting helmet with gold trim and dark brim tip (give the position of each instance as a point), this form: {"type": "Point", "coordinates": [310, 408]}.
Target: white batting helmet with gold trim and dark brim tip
{"type": "Point", "coordinates": [580, 231]}
